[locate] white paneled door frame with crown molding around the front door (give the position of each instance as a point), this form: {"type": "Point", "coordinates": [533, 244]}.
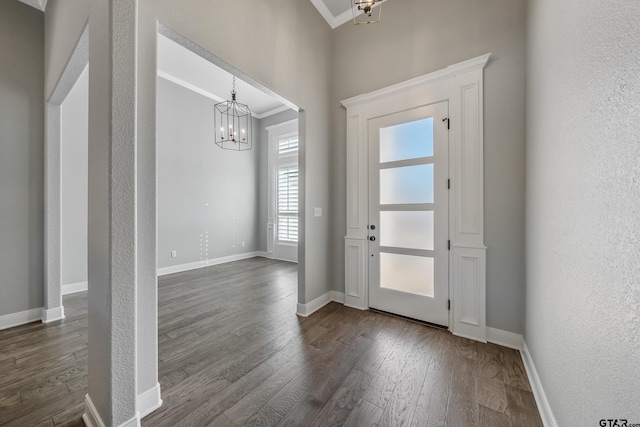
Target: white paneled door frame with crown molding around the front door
{"type": "Point", "coordinates": [462, 86]}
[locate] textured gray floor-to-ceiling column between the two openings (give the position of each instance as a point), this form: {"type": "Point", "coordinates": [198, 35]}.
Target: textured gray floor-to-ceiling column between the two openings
{"type": "Point", "coordinates": [112, 375]}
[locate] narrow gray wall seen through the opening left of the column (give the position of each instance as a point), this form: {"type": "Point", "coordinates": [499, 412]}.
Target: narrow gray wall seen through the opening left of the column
{"type": "Point", "coordinates": [74, 144]}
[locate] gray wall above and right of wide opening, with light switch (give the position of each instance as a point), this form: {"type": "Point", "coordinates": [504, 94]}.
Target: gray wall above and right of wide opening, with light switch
{"type": "Point", "coordinates": [285, 45]}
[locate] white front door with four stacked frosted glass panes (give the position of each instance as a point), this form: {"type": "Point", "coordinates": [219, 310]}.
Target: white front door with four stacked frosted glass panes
{"type": "Point", "coordinates": [408, 214]}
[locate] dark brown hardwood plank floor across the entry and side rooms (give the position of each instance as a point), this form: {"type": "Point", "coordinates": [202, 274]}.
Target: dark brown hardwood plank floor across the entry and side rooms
{"type": "Point", "coordinates": [233, 352]}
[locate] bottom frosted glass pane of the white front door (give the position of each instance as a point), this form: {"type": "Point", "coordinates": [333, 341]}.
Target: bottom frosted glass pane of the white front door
{"type": "Point", "coordinates": [407, 273]}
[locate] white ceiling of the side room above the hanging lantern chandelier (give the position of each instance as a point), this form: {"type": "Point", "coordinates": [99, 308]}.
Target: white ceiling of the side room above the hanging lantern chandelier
{"type": "Point", "coordinates": [185, 68]}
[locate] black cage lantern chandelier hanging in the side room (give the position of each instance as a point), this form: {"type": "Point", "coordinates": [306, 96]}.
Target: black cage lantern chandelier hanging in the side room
{"type": "Point", "coordinates": [233, 120]}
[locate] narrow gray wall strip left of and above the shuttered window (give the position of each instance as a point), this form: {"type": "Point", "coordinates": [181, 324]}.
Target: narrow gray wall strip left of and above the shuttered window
{"type": "Point", "coordinates": [263, 176]}
